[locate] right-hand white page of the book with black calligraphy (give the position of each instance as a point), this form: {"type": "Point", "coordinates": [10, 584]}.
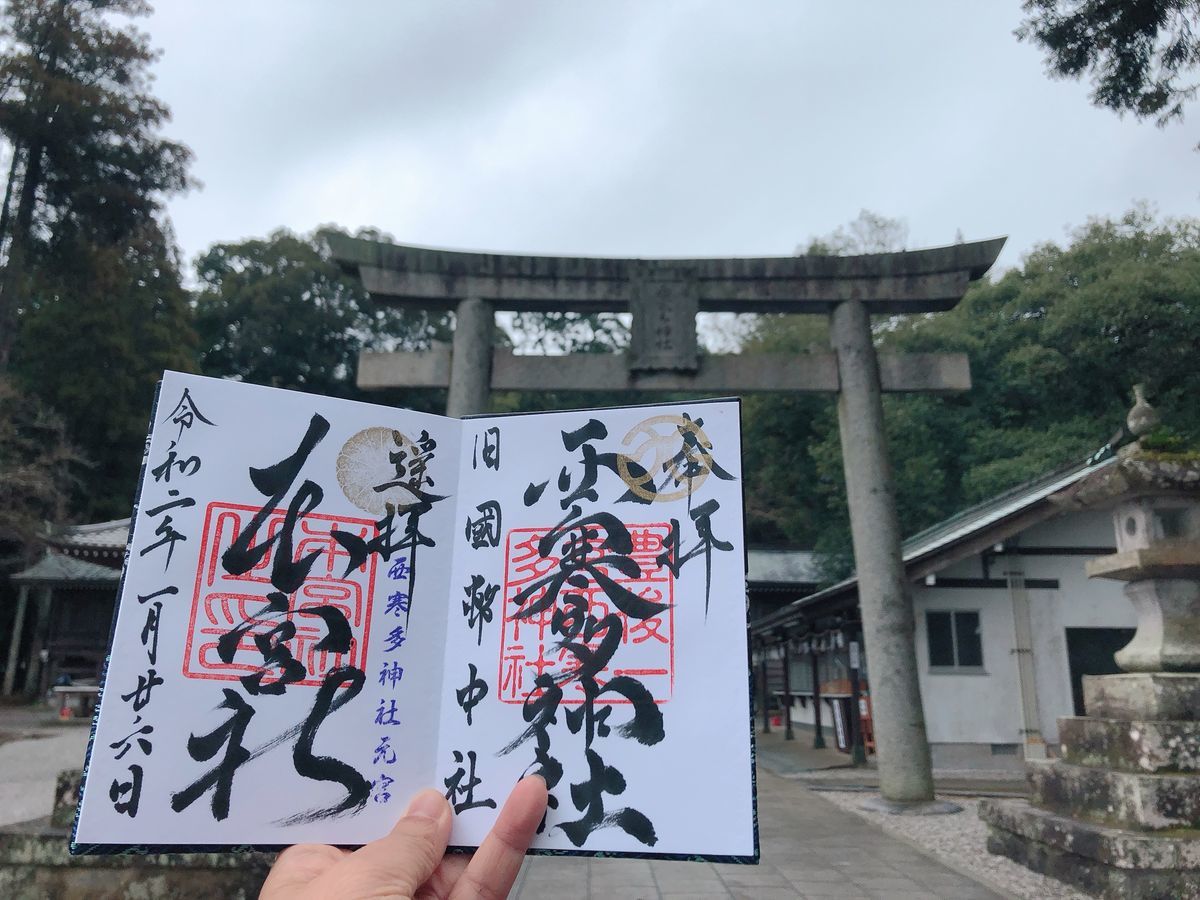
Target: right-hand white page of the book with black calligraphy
{"type": "Point", "coordinates": [691, 785]}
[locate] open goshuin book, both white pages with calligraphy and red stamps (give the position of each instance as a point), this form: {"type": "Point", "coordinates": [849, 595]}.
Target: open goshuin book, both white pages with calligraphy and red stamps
{"type": "Point", "coordinates": [329, 605]}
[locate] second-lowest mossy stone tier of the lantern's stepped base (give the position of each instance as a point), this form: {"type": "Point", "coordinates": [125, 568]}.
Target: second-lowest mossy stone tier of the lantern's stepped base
{"type": "Point", "coordinates": [1124, 800]}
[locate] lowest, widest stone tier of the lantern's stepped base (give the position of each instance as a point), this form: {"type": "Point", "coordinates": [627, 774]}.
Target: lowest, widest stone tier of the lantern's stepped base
{"type": "Point", "coordinates": [1102, 861]}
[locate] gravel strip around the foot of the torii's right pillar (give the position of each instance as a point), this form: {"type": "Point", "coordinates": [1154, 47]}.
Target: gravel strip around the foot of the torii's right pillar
{"type": "Point", "coordinates": [959, 841]}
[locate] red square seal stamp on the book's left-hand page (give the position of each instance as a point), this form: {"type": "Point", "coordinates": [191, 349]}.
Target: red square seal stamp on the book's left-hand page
{"type": "Point", "coordinates": [223, 602]}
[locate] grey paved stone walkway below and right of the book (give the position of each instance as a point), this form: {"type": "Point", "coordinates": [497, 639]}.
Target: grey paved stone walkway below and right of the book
{"type": "Point", "coordinates": [811, 849]}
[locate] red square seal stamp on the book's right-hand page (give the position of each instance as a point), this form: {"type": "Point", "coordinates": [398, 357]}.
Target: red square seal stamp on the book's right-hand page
{"type": "Point", "coordinates": [529, 647]}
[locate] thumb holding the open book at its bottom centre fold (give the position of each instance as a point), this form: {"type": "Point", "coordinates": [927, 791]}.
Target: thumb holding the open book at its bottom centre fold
{"type": "Point", "coordinates": [400, 862]}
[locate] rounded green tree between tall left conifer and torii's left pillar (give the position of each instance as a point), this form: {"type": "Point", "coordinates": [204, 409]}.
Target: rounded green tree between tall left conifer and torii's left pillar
{"type": "Point", "coordinates": [280, 313]}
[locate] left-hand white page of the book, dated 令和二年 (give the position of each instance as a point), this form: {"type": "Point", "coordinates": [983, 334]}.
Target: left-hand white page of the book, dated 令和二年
{"type": "Point", "coordinates": [196, 500]}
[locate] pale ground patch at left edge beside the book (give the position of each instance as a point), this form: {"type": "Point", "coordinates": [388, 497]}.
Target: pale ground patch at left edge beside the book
{"type": "Point", "coordinates": [31, 769]}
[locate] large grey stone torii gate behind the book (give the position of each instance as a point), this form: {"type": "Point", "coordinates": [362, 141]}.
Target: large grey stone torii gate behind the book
{"type": "Point", "coordinates": [663, 297]}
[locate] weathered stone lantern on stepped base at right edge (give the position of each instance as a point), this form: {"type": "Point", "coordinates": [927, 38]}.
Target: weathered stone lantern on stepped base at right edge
{"type": "Point", "coordinates": [1119, 814]}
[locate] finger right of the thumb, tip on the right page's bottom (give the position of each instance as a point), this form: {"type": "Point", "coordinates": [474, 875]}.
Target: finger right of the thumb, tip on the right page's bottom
{"type": "Point", "coordinates": [495, 867]}
